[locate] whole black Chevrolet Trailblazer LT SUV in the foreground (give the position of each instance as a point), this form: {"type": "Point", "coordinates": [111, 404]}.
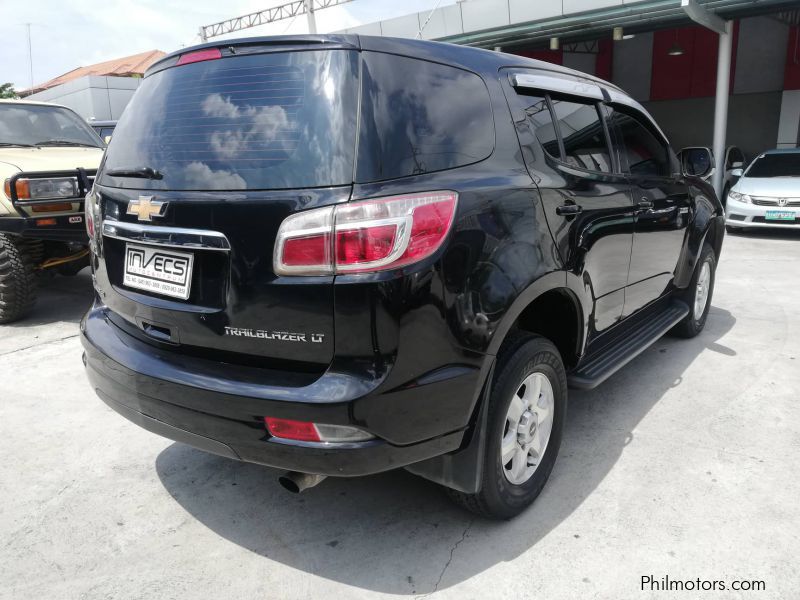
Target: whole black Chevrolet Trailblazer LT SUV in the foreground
{"type": "Point", "coordinates": [339, 255]}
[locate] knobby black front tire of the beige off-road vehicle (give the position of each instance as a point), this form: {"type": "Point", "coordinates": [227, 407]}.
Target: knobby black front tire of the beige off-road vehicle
{"type": "Point", "coordinates": [17, 277]}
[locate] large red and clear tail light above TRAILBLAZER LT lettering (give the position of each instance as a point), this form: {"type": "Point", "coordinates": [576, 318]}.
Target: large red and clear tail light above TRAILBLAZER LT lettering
{"type": "Point", "coordinates": [366, 236]}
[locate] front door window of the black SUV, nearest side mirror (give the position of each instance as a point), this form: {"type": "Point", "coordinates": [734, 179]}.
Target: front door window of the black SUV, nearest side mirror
{"type": "Point", "coordinates": [641, 150]}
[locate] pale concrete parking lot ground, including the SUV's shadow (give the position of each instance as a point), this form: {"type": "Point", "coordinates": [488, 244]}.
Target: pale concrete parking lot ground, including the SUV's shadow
{"type": "Point", "coordinates": [684, 464]}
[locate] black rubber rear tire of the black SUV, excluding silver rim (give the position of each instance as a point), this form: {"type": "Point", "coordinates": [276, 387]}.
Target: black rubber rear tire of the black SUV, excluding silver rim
{"type": "Point", "coordinates": [523, 355]}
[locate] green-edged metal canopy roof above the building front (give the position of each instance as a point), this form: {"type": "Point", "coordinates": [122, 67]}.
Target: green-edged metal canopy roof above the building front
{"type": "Point", "coordinates": [640, 17]}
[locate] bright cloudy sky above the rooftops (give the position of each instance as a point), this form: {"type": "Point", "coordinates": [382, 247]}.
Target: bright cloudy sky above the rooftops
{"type": "Point", "coordinates": [66, 34]}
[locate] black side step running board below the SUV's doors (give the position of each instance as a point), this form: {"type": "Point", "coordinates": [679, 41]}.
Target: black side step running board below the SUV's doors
{"type": "Point", "coordinates": [602, 364]}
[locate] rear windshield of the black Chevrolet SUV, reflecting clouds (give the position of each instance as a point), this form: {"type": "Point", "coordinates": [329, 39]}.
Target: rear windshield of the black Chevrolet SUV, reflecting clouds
{"type": "Point", "coordinates": [266, 121]}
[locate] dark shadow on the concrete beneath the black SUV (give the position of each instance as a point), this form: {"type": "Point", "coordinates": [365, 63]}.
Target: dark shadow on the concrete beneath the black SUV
{"type": "Point", "coordinates": [396, 533]}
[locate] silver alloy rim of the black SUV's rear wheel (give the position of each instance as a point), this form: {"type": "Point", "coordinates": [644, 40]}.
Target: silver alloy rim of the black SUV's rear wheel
{"type": "Point", "coordinates": [529, 423]}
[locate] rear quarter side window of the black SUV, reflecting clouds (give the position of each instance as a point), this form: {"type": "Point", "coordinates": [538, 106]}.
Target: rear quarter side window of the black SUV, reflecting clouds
{"type": "Point", "coordinates": [418, 117]}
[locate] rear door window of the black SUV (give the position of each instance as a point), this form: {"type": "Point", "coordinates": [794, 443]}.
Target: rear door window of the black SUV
{"type": "Point", "coordinates": [581, 129]}
